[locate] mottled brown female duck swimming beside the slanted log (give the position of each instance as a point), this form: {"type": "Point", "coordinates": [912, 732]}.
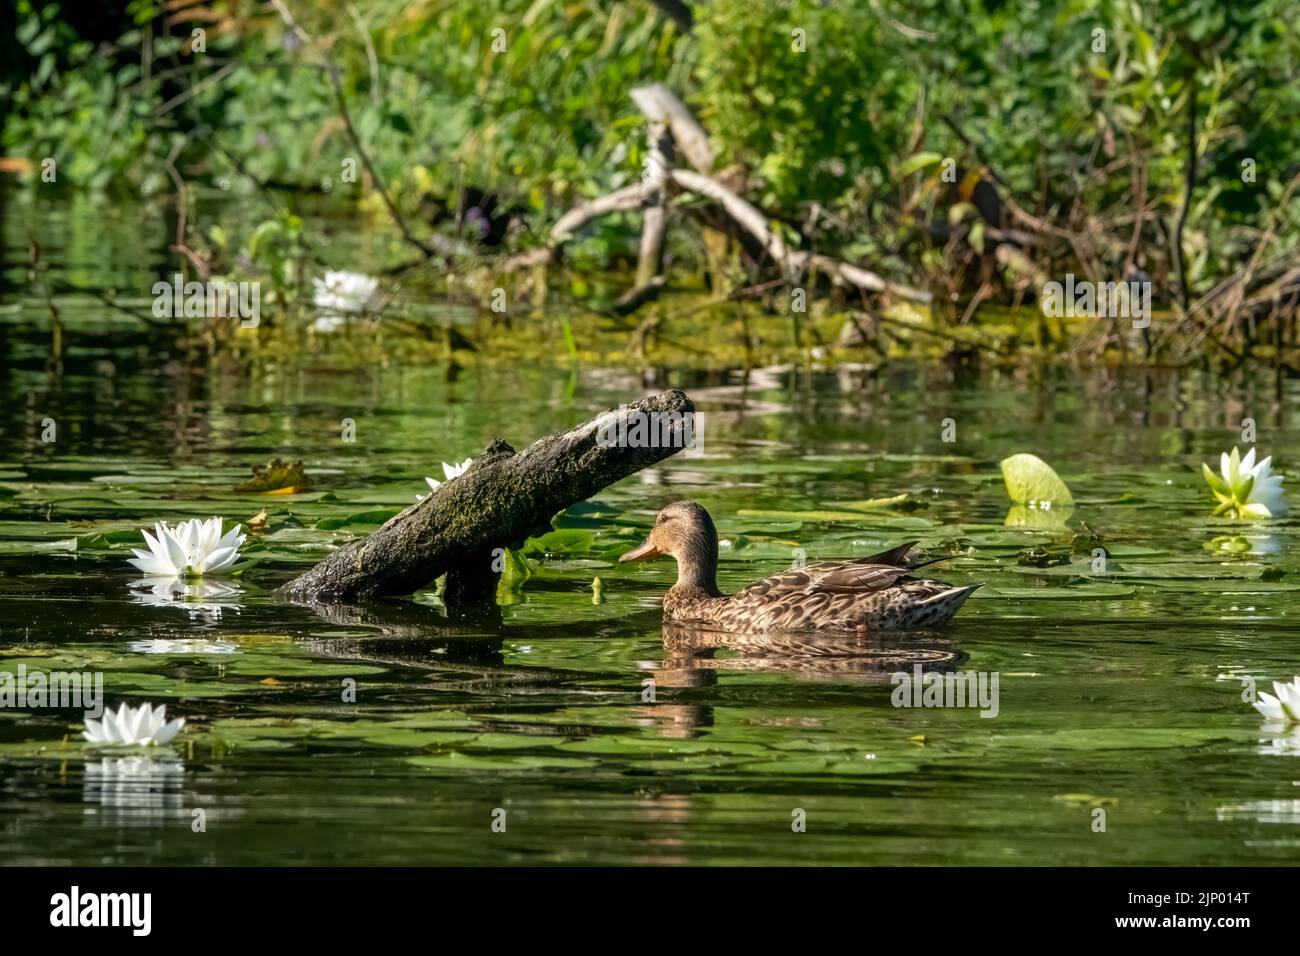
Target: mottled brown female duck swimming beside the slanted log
{"type": "Point", "coordinates": [872, 594]}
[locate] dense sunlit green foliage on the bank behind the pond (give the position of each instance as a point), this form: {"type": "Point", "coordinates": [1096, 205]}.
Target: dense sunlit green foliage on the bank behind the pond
{"type": "Point", "coordinates": [868, 128]}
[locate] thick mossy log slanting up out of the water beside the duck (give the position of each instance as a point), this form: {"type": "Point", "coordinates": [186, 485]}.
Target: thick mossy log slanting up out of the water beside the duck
{"type": "Point", "coordinates": [501, 501]}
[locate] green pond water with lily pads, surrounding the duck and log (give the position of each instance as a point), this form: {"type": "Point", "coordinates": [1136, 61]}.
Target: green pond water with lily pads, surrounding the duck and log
{"type": "Point", "coordinates": [1121, 689]}
